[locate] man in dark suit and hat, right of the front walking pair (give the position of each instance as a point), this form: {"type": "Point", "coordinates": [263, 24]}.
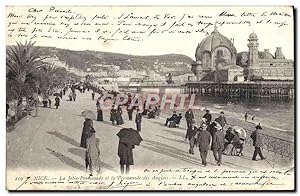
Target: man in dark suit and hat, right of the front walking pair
{"type": "Point", "coordinates": [218, 142]}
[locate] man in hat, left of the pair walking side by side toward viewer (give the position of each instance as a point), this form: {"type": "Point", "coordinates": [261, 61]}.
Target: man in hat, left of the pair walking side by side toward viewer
{"type": "Point", "coordinates": [203, 140]}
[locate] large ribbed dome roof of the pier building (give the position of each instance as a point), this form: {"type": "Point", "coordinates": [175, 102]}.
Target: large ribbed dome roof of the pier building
{"type": "Point", "coordinates": [211, 42]}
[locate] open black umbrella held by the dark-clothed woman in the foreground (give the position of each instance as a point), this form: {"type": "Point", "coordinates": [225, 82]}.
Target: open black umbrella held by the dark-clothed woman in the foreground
{"type": "Point", "coordinates": [129, 136]}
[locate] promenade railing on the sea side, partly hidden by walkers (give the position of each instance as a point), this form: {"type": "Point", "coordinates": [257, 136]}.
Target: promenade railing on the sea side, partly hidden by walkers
{"type": "Point", "coordinates": [278, 146]}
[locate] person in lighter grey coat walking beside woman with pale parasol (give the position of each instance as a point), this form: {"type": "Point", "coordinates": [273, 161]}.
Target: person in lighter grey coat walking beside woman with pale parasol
{"type": "Point", "coordinates": [92, 155]}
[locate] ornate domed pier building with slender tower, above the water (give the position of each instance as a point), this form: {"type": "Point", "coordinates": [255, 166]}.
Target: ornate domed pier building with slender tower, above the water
{"type": "Point", "coordinates": [217, 60]}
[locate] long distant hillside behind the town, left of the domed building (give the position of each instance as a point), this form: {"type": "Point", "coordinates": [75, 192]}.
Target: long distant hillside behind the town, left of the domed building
{"type": "Point", "coordinates": [83, 60]}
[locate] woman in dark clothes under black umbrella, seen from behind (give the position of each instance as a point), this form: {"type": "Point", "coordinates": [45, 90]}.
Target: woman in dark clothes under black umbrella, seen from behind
{"type": "Point", "coordinates": [128, 138]}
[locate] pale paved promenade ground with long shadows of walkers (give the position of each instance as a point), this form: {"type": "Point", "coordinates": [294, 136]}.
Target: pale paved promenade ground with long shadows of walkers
{"type": "Point", "coordinates": [51, 141]}
